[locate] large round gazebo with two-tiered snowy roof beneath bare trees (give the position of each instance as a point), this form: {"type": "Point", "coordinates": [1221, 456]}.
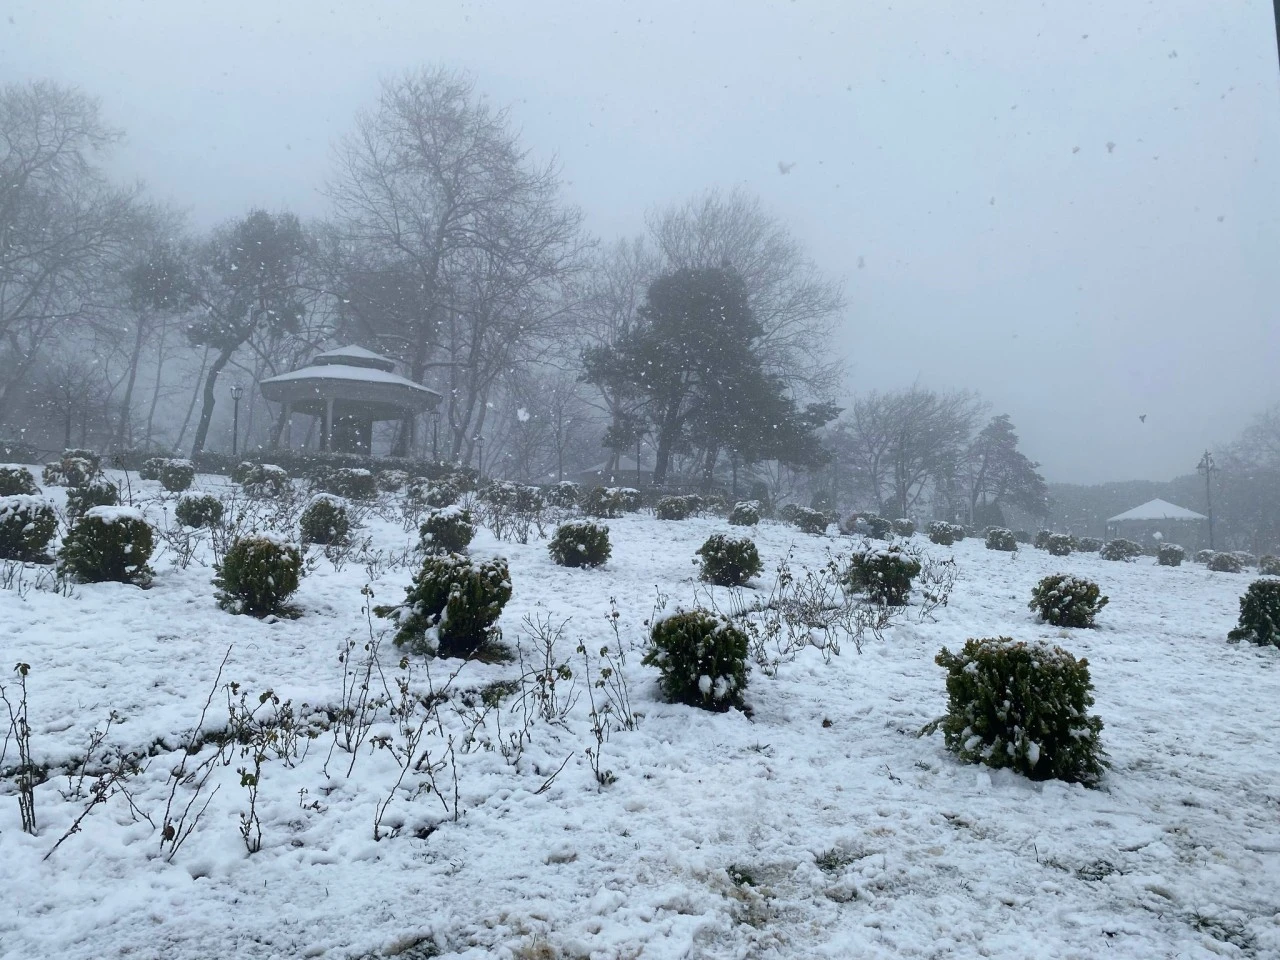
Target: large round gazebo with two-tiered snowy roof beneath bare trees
{"type": "Point", "coordinates": [349, 390]}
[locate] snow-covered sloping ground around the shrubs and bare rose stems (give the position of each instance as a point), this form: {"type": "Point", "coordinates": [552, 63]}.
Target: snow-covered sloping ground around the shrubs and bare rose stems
{"type": "Point", "coordinates": [821, 826]}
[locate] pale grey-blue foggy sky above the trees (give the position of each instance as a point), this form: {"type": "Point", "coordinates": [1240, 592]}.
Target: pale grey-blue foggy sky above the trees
{"type": "Point", "coordinates": [952, 164]}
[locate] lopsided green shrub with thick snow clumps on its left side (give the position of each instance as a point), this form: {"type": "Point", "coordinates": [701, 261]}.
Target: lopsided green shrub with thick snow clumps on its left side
{"type": "Point", "coordinates": [452, 606]}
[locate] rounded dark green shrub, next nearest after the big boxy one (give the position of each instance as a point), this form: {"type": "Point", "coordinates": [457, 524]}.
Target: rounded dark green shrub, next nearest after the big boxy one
{"type": "Point", "coordinates": [701, 659]}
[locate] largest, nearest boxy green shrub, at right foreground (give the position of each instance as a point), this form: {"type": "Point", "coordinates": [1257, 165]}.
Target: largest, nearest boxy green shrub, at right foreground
{"type": "Point", "coordinates": [1023, 706]}
